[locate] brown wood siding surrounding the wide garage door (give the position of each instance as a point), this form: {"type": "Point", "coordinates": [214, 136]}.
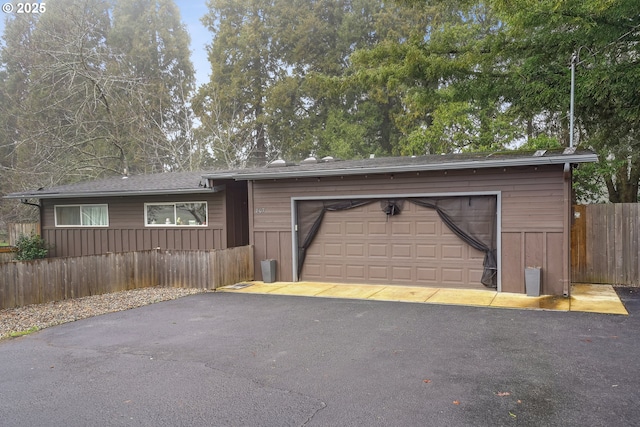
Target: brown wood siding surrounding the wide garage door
{"type": "Point", "coordinates": [532, 201]}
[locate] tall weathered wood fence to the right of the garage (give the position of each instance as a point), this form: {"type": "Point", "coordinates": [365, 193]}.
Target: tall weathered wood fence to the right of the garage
{"type": "Point", "coordinates": [605, 244]}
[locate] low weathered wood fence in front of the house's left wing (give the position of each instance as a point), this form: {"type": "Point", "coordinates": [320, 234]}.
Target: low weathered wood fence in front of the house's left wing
{"type": "Point", "coordinates": [54, 279]}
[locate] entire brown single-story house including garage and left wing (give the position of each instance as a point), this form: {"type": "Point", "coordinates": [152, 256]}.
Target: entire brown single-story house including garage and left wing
{"type": "Point", "coordinates": [471, 220]}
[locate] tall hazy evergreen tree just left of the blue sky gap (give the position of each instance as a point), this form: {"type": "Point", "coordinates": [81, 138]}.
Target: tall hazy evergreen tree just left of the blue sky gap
{"type": "Point", "coordinates": [152, 47]}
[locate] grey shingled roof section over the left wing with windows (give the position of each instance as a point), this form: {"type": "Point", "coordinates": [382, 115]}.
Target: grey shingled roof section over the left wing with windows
{"type": "Point", "coordinates": [161, 183]}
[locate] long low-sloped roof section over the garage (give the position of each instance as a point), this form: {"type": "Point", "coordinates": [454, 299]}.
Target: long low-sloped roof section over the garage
{"type": "Point", "coordinates": [330, 167]}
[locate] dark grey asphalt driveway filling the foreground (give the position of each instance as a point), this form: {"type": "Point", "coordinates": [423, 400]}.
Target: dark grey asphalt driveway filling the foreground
{"type": "Point", "coordinates": [222, 359]}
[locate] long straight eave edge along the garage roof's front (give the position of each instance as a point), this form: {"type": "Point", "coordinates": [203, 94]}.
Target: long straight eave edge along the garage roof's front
{"type": "Point", "coordinates": [473, 164]}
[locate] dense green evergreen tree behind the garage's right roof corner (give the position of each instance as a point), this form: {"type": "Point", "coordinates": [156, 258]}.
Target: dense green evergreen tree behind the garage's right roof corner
{"type": "Point", "coordinates": [604, 40]}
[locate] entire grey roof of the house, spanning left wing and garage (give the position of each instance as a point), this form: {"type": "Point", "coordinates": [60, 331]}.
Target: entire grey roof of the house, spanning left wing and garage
{"type": "Point", "coordinates": [197, 182]}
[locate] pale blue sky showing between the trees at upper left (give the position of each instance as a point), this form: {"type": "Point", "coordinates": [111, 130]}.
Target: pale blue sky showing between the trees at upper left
{"type": "Point", "coordinates": [191, 11]}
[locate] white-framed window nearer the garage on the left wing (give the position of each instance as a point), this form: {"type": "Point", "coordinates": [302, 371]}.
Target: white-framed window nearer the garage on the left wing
{"type": "Point", "coordinates": [175, 214]}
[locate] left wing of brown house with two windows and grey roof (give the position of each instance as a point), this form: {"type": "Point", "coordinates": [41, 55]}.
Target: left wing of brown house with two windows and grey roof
{"type": "Point", "coordinates": [166, 210]}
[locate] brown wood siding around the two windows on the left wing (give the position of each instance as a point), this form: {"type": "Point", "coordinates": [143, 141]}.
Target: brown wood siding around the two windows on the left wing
{"type": "Point", "coordinates": [126, 231]}
